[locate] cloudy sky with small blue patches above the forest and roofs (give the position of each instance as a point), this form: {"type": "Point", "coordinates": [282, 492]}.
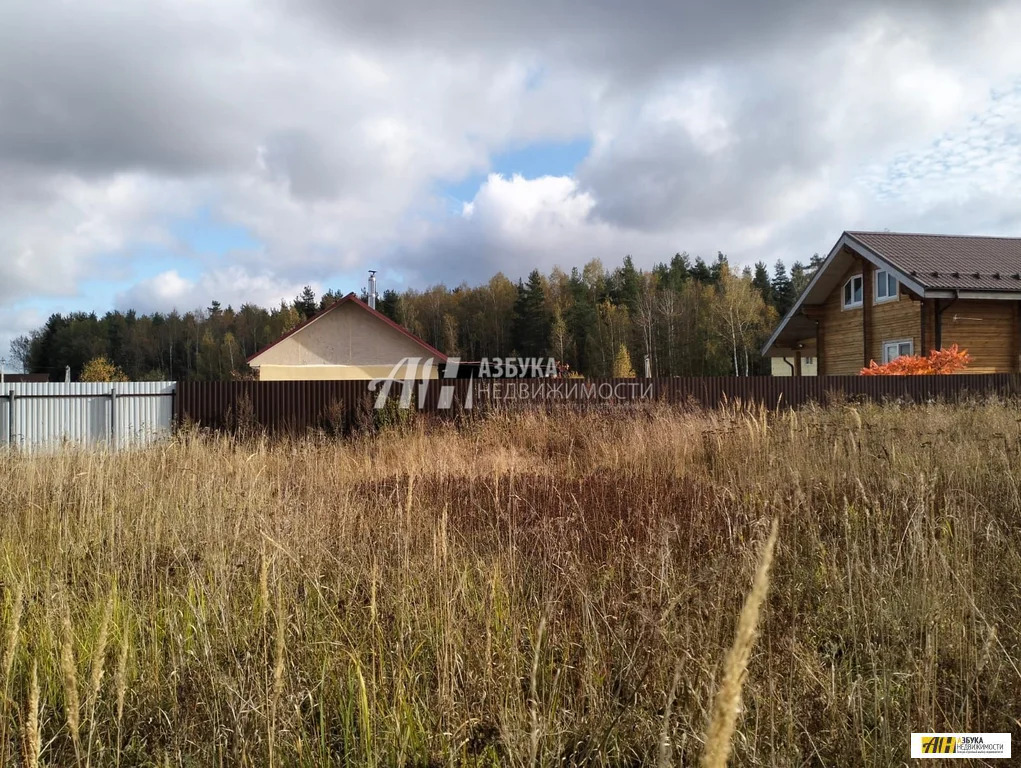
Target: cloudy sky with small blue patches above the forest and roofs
{"type": "Point", "coordinates": [162, 155]}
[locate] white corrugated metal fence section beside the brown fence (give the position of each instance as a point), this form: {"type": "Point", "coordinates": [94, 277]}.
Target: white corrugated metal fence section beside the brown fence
{"type": "Point", "coordinates": [40, 417]}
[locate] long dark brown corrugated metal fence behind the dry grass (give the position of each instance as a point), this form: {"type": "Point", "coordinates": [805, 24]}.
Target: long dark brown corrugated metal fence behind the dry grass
{"type": "Point", "coordinates": [338, 406]}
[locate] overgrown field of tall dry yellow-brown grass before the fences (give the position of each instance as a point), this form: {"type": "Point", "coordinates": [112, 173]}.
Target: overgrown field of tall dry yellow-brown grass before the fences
{"type": "Point", "coordinates": [524, 591]}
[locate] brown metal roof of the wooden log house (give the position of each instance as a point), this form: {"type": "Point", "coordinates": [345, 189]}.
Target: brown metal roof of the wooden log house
{"type": "Point", "coordinates": [950, 262]}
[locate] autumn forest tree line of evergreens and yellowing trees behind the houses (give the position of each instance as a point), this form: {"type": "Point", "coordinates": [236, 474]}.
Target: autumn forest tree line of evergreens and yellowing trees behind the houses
{"type": "Point", "coordinates": [689, 317]}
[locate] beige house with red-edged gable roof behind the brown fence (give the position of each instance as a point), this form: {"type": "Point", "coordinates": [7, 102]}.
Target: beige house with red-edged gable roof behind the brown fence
{"type": "Point", "coordinates": [348, 341]}
